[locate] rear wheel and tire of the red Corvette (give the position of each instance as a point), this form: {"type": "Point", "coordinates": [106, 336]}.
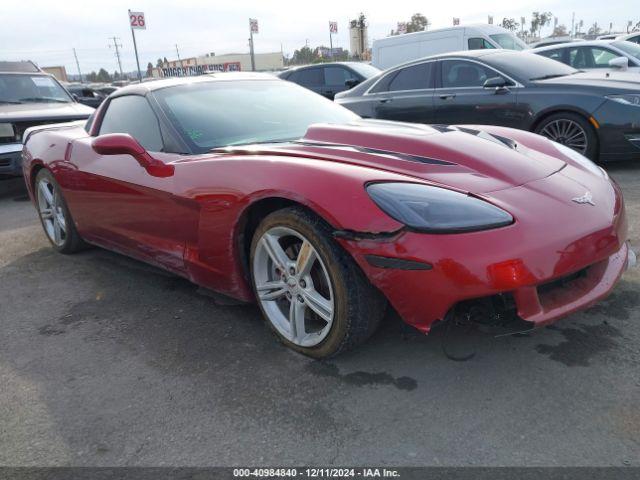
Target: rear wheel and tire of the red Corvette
{"type": "Point", "coordinates": [54, 215]}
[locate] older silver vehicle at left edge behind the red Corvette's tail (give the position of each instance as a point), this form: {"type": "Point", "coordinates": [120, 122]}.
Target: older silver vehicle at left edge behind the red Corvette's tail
{"type": "Point", "coordinates": [28, 97]}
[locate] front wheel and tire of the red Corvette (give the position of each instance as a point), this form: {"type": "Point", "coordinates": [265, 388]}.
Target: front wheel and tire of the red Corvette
{"type": "Point", "coordinates": [311, 292]}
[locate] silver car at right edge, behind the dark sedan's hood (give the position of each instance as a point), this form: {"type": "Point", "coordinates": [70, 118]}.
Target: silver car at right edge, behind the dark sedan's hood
{"type": "Point", "coordinates": [598, 54]}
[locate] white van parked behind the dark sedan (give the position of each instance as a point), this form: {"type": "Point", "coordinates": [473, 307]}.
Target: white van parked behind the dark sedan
{"type": "Point", "coordinates": [397, 49]}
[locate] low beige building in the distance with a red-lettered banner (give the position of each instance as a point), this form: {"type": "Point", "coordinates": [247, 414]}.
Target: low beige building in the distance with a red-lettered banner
{"type": "Point", "coordinates": [219, 63]}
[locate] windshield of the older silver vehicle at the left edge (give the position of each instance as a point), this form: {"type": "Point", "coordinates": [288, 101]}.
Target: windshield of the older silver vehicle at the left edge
{"type": "Point", "coordinates": [20, 88]}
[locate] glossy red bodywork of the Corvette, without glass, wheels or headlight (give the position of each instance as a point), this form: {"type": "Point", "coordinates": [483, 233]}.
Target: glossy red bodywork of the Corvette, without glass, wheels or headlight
{"type": "Point", "coordinates": [192, 221]}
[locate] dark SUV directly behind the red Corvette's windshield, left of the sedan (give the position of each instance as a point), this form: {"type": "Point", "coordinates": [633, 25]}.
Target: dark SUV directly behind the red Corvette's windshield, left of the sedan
{"type": "Point", "coordinates": [330, 78]}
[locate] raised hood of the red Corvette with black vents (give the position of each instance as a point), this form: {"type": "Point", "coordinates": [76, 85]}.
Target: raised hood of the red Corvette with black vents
{"type": "Point", "coordinates": [466, 158]}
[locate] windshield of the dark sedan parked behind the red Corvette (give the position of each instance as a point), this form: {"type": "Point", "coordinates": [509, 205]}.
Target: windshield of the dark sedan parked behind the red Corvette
{"type": "Point", "coordinates": [527, 66]}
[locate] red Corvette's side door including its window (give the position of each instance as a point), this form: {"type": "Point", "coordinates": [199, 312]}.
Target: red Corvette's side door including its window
{"type": "Point", "coordinates": [118, 203]}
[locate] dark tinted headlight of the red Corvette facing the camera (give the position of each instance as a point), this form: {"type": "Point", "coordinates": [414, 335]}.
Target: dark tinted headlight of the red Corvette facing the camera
{"type": "Point", "coordinates": [436, 210]}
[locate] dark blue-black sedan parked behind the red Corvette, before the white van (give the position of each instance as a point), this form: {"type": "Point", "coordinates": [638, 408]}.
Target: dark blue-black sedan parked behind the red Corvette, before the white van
{"type": "Point", "coordinates": [597, 117]}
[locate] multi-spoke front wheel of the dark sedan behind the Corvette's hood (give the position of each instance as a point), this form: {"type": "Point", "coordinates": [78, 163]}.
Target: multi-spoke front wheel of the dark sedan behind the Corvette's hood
{"type": "Point", "coordinates": [572, 130]}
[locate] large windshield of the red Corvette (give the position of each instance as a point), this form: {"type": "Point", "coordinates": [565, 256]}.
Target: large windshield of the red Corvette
{"type": "Point", "coordinates": [217, 114]}
